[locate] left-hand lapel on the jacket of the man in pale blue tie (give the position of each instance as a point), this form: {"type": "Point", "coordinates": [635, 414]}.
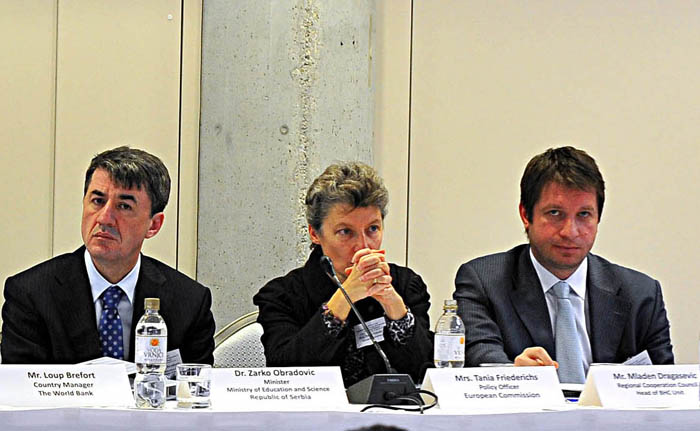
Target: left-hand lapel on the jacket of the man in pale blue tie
{"type": "Point", "coordinates": [529, 302]}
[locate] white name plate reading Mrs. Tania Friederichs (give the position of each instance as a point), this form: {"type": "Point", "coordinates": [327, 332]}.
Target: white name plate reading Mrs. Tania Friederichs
{"type": "Point", "coordinates": [494, 388]}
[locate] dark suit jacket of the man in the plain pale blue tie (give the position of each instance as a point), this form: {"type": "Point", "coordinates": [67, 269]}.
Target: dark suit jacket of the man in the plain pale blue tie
{"type": "Point", "coordinates": [503, 306]}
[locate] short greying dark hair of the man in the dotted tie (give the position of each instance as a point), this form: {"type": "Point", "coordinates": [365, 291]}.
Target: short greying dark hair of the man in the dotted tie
{"type": "Point", "coordinates": [130, 167]}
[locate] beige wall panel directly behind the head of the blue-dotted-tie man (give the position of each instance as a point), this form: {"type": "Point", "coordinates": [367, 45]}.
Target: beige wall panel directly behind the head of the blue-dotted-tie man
{"type": "Point", "coordinates": [118, 82]}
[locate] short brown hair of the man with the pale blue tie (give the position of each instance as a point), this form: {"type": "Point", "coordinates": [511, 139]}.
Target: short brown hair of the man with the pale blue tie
{"type": "Point", "coordinates": [567, 166]}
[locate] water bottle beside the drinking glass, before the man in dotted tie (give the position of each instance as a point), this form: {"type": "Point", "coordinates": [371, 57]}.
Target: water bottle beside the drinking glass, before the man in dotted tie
{"type": "Point", "coordinates": [151, 347]}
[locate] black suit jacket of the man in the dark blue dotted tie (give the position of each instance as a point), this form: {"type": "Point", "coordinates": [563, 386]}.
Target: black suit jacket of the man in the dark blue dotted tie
{"type": "Point", "coordinates": [49, 313]}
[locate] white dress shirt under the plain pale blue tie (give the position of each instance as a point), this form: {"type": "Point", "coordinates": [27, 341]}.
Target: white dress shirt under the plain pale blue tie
{"type": "Point", "coordinates": [577, 282]}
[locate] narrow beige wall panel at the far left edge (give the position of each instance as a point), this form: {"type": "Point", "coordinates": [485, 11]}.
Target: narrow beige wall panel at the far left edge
{"type": "Point", "coordinates": [27, 43]}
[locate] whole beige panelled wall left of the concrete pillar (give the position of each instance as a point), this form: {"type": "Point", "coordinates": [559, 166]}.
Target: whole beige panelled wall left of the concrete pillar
{"type": "Point", "coordinates": [80, 77]}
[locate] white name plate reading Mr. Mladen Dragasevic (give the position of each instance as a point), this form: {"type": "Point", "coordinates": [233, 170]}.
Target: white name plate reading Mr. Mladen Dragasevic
{"type": "Point", "coordinates": [621, 386]}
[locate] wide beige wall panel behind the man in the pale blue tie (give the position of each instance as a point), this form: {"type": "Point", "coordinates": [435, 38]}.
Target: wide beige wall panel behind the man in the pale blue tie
{"type": "Point", "coordinates": [495, 82]}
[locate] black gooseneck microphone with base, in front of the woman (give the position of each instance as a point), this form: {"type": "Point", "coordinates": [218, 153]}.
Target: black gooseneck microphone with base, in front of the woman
{"type": "Point", "coordinates": [390, 388]}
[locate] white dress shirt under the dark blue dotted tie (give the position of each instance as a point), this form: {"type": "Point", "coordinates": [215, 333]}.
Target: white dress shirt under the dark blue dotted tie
{"type": "Point", "coordinates": [99, 284]}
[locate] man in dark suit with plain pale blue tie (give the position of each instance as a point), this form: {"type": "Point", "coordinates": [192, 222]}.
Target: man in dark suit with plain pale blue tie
{"type": "Point", "coordinates": [511, 302]}
